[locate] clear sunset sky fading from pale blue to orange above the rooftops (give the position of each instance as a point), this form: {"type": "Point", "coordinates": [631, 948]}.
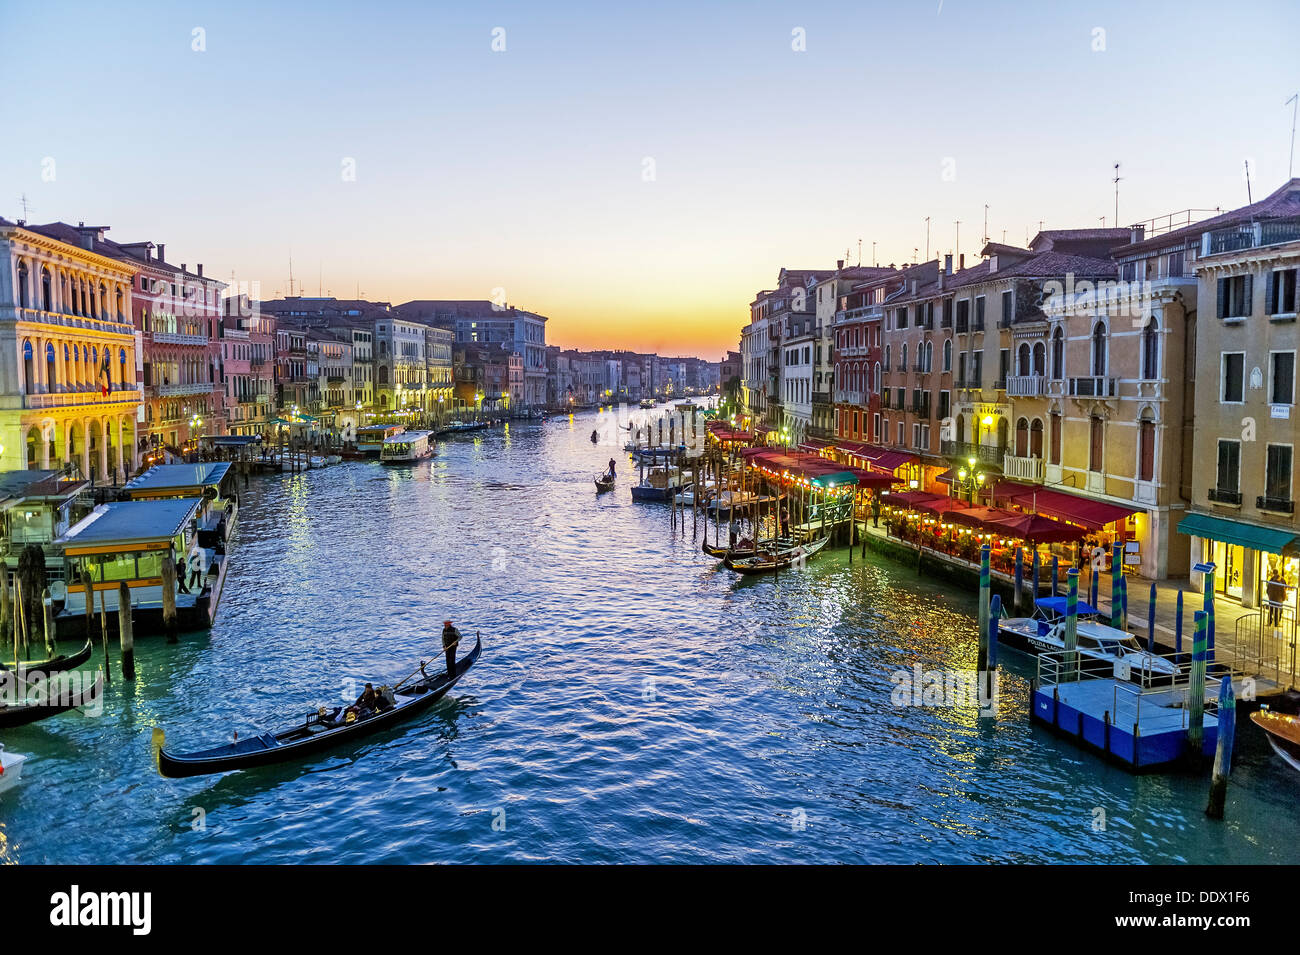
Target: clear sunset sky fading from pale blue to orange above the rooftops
{"type": "Point", "coordinates": [526, 170]}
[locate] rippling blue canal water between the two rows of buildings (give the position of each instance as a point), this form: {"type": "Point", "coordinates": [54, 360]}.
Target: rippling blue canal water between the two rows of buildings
{"type": "Point", "coordinates": [635, 701]}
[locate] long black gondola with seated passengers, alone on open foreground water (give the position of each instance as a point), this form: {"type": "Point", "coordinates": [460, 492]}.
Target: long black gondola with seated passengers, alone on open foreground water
{"type": "Point", "coordinates": [314, 735]}
